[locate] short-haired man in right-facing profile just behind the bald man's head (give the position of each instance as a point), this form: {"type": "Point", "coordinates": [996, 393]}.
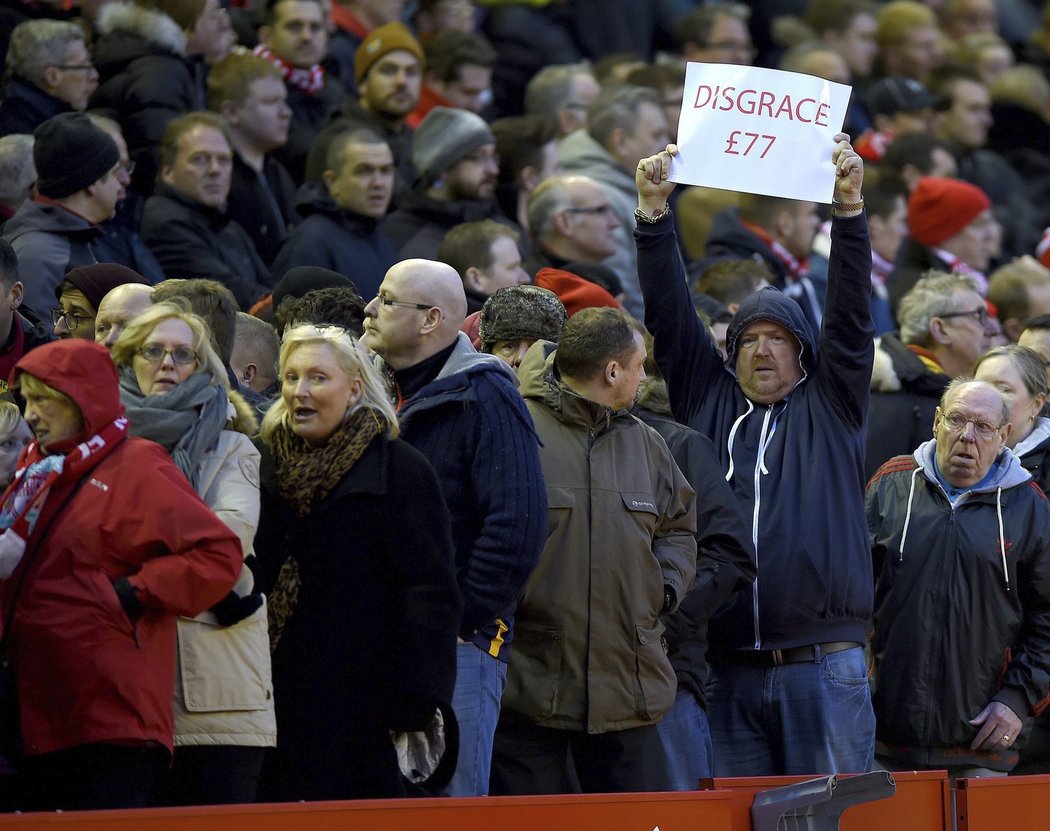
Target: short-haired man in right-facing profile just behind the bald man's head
{"type": "Point", "coordinates": [487, 258]}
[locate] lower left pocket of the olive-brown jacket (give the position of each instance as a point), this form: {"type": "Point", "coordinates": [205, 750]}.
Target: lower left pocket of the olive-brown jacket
{"type": "Point", "coordinates": [536, 668]}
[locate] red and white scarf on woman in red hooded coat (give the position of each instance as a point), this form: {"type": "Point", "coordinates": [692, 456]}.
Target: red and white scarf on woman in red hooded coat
{"type": "Point", "coordinates": [37, 474]}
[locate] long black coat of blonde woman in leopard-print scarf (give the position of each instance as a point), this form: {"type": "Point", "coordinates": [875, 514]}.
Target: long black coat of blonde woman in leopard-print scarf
{"type": "Point", "coordinates": [372, 640]}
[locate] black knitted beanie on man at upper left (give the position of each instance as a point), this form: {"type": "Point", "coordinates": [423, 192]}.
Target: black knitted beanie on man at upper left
{"type": "Point", "coordinates": [71, 154]}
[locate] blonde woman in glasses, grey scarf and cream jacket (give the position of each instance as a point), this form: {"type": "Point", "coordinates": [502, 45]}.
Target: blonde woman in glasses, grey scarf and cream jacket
{"type": "Point", "coordinates": [177, 393]}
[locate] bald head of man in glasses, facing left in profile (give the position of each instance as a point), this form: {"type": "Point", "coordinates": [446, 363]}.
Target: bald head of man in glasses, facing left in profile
{"type": "Point", "coordinates": [417, 314]}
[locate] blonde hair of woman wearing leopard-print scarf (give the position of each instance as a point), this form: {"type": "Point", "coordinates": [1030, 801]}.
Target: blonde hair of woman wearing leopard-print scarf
{"type": "Point", "coordinates": [375, 391]}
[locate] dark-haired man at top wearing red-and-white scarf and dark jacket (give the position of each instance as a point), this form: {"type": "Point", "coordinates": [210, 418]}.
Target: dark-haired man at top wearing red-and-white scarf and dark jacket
{"type": "Point", "coordinates": [295, 38]}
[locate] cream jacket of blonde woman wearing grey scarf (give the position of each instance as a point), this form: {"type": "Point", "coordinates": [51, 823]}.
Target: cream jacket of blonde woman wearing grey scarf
{"type": "Point", "coordinates": [224, 694]}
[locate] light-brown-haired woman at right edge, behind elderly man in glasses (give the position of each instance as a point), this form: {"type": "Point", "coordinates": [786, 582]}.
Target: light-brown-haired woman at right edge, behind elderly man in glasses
{"type": "Point", "coordinates": [1020, 375]}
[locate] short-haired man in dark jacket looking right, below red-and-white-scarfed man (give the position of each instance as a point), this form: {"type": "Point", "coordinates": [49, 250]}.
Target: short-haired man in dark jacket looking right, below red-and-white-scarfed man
{"type": "Point", "coordinates": [250, 95]}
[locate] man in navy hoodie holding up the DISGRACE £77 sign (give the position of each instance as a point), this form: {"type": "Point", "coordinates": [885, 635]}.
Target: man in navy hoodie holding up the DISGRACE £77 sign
{"type": "Point", "coordinates": [787, 411]}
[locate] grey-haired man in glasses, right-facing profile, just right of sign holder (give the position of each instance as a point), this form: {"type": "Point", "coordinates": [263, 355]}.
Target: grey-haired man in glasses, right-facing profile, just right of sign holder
{"type": "Point", "coordinates": [944, 327]}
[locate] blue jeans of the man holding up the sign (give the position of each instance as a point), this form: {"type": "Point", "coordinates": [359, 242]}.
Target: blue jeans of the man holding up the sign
{"type": "Point", "coordinates": [812, 718]}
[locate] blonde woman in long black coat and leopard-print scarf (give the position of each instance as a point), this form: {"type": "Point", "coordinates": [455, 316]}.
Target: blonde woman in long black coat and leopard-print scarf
{"type": "Point", "coordinates": [355, 554]}
